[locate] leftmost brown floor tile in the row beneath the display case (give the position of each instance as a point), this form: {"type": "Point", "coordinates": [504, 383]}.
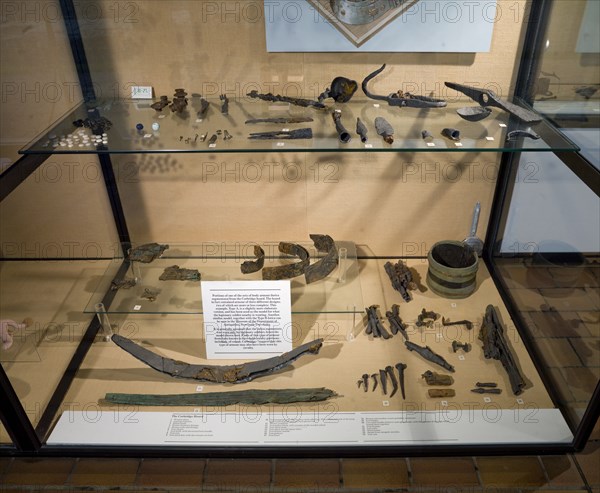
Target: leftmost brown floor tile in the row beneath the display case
{"type": "Point", "coordinates": [48, 472]}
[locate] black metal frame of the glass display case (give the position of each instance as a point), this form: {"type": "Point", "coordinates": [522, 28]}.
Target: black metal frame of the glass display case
{"type": "Point", "coordinates": [27, 439]}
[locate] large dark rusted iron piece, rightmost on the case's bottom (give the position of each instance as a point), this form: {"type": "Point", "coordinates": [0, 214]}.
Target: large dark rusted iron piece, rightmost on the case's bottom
{"type": "Point", "coordinates": [495, 346]}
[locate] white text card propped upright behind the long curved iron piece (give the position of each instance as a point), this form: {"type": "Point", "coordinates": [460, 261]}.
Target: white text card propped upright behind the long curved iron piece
{"type": "Point", "coordinates": [247, 319]}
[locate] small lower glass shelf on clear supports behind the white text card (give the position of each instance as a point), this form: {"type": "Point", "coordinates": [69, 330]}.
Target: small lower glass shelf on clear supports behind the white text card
{"type": "Point", "coordinates": [220, 262]}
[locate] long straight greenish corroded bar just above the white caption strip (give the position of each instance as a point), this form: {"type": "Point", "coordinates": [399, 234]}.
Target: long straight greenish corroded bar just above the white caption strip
{"type": "Point", "coordinates": [228, 398]}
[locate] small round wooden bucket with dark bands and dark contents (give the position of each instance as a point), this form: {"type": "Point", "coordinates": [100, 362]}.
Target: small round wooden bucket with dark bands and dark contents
{"type": "Point", "coordinates": [452, 269]}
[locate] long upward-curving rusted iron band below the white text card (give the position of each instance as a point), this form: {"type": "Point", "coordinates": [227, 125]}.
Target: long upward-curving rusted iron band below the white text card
{"type": "Point", "coordinates": [211, 373]}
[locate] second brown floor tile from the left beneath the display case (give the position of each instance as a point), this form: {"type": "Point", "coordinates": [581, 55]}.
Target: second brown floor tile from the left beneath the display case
{"type": "Point", "coordinates": [105, 472]}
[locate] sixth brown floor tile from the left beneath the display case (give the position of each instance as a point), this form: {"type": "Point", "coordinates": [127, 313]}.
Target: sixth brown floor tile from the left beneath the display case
{"type": "Point", "coordinates": [374, 473]}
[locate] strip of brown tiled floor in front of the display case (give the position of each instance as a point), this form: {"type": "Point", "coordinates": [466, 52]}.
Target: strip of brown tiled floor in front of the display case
{"type": "Point", "coordinates": [569, 473]}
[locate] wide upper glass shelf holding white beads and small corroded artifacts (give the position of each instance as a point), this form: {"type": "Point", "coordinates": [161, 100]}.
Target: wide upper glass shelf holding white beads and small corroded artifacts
{"type": "Point", "coordinates": [183, 134]}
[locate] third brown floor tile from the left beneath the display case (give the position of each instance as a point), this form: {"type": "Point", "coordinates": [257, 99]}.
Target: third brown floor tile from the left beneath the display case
{"type": "Point", "coordinates": [171, 472]}
